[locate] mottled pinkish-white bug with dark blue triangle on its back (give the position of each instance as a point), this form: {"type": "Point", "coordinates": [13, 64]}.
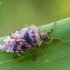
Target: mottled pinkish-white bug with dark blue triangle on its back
{"type": "Point", "coordinates": [26, 38]}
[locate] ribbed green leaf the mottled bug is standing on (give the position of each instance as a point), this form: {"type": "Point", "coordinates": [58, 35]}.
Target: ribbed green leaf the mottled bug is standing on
{"type": "Point", "coordinates": [53, 56]}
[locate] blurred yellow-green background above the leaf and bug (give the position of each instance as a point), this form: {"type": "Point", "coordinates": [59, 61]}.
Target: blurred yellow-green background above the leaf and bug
{"type": "Point", "coordinates": [14, 14]}
